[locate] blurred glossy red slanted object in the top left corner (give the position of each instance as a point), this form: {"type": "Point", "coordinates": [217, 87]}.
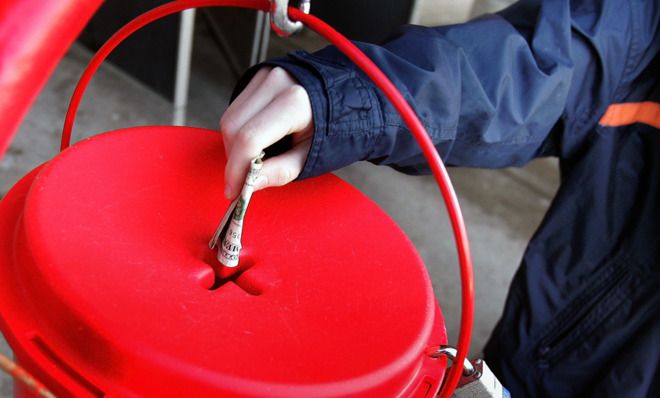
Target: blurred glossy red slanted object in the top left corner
{"type": "Point", "coordinates": [34, 35]}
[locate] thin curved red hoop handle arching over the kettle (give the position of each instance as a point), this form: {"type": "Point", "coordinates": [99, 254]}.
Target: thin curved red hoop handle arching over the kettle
{"type": "Point", "coordinates": [379, 78]}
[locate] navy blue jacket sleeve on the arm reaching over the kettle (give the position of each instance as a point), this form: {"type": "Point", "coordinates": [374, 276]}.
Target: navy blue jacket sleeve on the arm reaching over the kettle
{"type": "Point", "coordinates": [494, 92]}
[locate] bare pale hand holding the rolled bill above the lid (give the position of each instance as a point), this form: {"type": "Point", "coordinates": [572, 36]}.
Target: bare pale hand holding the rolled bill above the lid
{"type": "Point", "coordinates": [272, 106]}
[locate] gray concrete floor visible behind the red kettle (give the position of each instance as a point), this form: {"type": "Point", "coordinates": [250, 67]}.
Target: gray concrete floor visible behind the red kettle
{"type": "Point", "coordinates": [502, 208]}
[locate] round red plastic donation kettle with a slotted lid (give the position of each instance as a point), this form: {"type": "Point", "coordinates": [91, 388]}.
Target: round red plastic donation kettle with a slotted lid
{"type": "Point", "coordinates": [107, 286]}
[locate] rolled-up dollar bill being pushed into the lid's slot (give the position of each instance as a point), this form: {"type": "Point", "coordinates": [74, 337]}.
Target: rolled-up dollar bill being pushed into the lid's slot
{"type": "Point", "coordinates": [230, 228]}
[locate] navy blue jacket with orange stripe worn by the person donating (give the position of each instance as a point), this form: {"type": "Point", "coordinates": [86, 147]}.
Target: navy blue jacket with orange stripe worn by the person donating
{"type": "Point", "coordinates": [582, 317]}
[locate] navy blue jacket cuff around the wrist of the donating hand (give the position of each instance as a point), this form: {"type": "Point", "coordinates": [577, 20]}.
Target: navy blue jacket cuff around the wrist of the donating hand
{"type": "Point", "coordinates": [345, 109]}
